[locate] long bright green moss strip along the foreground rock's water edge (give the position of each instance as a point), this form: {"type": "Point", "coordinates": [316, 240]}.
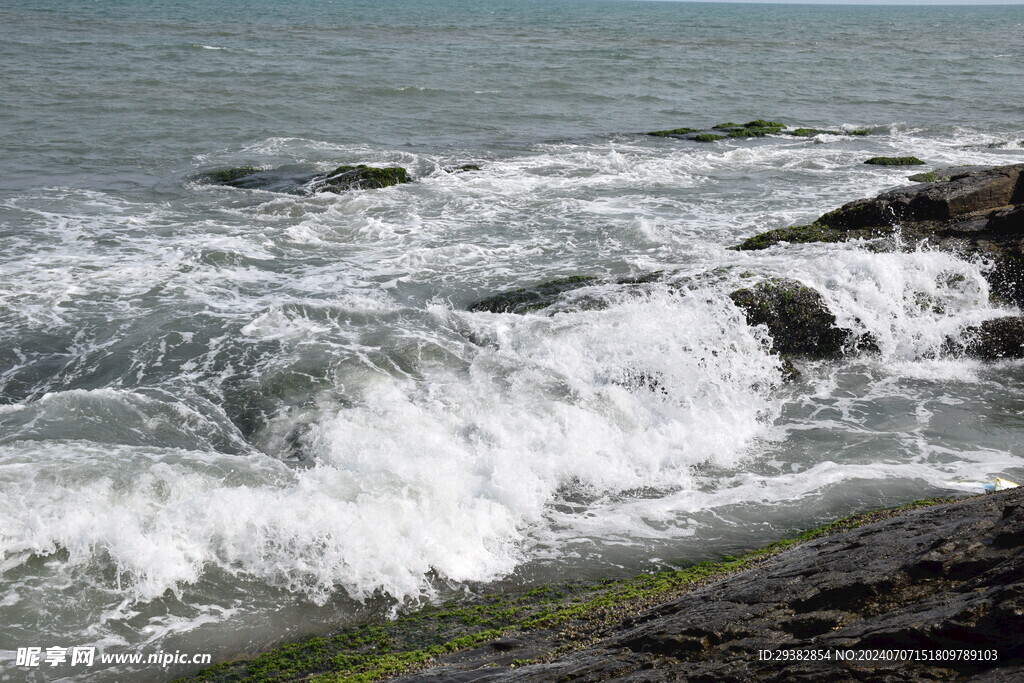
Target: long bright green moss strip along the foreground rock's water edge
{"type": "Point", "coordinates": [570, 616]}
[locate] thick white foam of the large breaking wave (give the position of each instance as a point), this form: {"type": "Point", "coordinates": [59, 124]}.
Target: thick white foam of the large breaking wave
{"type": "Point", "coordinates": [443, 476]}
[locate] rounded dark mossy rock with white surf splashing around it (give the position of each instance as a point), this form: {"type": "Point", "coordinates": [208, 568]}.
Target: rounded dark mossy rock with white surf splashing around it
{"type": "Point", "coordinates": [797, 319]}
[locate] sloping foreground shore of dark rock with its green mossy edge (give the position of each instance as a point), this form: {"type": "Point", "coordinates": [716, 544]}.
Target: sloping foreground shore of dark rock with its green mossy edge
{"type": "Point", "coordinates": [915, 584]}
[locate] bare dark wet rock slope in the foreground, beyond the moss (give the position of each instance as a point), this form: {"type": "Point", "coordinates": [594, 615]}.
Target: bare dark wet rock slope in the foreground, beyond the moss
{"type": "Point", "coordinates": [943, 579]}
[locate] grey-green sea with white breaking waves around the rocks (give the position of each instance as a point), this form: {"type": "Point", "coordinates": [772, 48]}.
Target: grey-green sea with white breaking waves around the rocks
{"type": "Point", "coordinates": [230, 417]}
